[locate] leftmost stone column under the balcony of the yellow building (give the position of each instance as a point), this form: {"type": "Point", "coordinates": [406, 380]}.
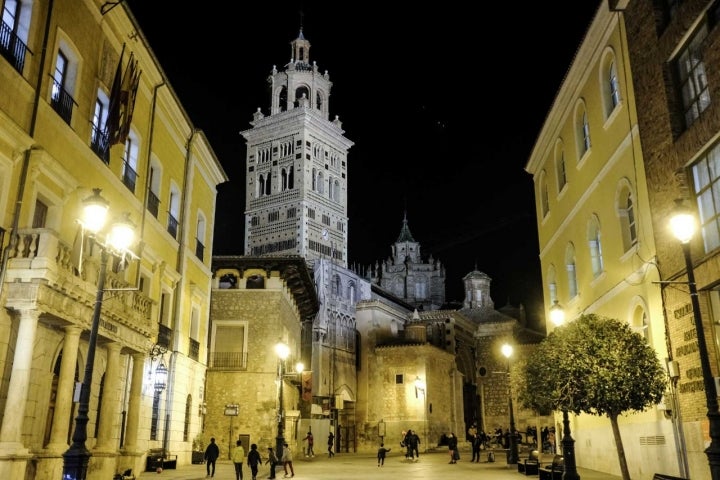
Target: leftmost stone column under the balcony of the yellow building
{"type": "Point", "coordinates": [11, 430]}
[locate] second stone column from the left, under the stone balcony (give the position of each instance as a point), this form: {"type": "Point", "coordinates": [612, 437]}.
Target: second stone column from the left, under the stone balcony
{"type": "Point", "coordinates": [66, 387]}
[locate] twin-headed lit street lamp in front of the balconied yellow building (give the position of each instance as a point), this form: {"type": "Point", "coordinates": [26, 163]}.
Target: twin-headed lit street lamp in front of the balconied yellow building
{"type": "Point", "coordinates": [77, 457]}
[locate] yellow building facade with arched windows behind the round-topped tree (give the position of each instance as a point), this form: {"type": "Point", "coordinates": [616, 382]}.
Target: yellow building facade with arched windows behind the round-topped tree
{"type": "Point", "coordinates": [597, 248]}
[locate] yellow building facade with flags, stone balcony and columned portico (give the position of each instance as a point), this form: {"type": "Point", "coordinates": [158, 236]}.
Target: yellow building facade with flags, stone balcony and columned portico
{"type": "Point", "coordinates": [85, 105]}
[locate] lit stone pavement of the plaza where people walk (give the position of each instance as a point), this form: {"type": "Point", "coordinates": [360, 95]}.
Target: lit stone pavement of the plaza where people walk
{"type": "Point", "coordinates": [351, 466]}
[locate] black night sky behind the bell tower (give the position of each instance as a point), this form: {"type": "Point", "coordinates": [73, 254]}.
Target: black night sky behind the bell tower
{"type": "Point", "coordinates": [443, 102]}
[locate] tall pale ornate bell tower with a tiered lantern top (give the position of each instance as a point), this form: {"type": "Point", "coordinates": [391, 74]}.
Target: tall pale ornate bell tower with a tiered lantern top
{"type": "Point", "coordinates": [296, 167]}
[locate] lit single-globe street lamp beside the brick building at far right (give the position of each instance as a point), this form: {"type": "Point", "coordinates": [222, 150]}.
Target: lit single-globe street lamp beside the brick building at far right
{"type": "Point", "coordinates": [683, 226]}
